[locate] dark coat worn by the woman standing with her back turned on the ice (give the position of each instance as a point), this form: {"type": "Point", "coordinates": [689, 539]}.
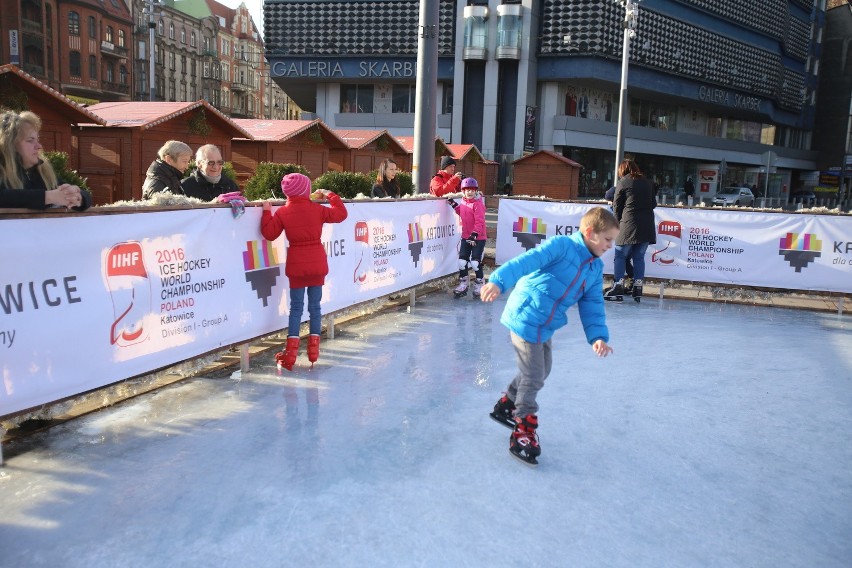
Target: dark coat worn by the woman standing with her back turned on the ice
{"type": "Point", "coordinates": [633, 206]}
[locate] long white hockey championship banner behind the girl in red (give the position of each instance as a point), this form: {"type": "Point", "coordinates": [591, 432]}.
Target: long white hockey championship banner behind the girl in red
{"type": "Point", "coordinates": [97, 299]}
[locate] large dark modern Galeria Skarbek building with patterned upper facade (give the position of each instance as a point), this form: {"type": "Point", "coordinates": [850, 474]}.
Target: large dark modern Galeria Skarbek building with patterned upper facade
{"type": "Point", "coordinates": [717, 89]}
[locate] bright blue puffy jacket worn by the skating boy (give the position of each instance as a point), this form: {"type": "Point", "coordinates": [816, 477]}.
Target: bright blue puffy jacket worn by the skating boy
{"type": "Point", "coordinates": [548, 280]}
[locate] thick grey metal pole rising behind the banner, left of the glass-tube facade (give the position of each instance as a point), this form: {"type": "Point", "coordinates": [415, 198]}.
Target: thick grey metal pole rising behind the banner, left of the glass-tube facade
{"type": "Point", "coordinates": [426, 91]}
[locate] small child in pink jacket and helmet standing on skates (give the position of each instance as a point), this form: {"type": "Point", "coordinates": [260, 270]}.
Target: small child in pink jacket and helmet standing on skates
{"type": "Point", "coordinates": [472, 213]}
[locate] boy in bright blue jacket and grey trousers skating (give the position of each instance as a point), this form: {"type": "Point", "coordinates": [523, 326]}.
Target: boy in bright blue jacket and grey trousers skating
{"type": "Point", "coordinates": [549, 279]}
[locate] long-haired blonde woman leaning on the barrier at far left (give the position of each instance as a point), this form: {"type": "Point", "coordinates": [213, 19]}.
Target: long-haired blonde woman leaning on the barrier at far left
{"type": "Point", "coordinates": [27, 180]}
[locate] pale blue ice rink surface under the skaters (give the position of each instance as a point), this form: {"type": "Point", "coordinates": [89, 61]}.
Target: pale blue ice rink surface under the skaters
{"type": "Point", "coordinates": [716, 435]}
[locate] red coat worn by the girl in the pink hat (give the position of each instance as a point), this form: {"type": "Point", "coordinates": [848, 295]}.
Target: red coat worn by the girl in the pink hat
{"type": "Point", "coordinates": [301, 220]}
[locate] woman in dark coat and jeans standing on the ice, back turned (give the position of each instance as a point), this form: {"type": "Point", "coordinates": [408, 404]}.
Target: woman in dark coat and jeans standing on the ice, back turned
{"type": "Point", "coordinates": [633, 206]}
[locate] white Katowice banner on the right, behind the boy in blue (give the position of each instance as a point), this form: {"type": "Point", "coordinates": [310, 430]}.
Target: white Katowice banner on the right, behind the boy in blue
{"type": "Point", "coordinates": [775, 250]}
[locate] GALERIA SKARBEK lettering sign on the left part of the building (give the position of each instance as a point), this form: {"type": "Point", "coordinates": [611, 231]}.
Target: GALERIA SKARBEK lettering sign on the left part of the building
{"type": "Point", "coordinates": [329, 69]}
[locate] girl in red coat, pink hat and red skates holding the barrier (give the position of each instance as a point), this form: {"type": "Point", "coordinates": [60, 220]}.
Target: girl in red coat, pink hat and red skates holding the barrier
{"type": "Point", "coordinates": [301, 220]}
